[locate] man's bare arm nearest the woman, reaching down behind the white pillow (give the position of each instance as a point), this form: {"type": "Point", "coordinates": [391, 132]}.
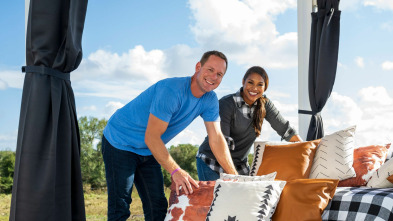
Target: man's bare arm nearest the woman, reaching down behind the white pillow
{"type": "Point", "coordinates": [219, 147]}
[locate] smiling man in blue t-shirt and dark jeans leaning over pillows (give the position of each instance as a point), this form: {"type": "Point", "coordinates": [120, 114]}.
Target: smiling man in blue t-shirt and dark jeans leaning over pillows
{"type": "Point", "coordinates": [133, 144]}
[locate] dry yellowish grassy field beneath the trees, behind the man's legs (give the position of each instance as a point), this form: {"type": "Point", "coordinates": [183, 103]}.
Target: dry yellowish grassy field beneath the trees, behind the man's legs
{"type": "Point", "coordinates": [95, 204]}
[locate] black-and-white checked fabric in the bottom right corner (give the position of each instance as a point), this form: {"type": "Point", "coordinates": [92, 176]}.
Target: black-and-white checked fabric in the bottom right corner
{"type": "Point", "coordinates": [357, 203]}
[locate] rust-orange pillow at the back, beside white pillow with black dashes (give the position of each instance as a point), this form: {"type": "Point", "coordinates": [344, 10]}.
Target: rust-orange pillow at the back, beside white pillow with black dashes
{"type": "Point", "coordinates": [290, 161]}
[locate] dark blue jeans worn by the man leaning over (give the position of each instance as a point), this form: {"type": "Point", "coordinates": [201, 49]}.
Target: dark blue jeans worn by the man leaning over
{"type": "Point", "coordinates": [123, 169]}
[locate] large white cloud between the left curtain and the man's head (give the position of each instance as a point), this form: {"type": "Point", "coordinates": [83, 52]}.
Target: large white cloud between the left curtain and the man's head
{"type": "Point", "coordinates": [107, 74]}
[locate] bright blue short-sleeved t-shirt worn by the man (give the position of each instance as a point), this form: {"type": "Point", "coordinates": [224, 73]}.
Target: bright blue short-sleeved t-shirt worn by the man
{"type": "Point", "coordinates": [170, 100]}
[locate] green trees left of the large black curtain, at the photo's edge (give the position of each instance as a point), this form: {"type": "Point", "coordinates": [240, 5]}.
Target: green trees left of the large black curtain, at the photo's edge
{"type": "Point", "coordinates": [7, 163]}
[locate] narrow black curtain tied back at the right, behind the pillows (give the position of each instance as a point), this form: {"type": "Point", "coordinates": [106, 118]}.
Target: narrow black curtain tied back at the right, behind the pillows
{"type": "Point", "coordinates": [324, 44]}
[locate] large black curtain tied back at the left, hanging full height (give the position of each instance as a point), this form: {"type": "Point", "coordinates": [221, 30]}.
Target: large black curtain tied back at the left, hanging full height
{"type": "Point", "coordinates": [47, 178]}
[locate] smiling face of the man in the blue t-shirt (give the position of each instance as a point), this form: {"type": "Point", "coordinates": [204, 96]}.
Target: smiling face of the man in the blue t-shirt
{"type": "Point", "coordinates": [209, 76]}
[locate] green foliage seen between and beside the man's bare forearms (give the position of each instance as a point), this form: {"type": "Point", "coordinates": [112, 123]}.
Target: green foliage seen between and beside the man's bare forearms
{"type": "Point", "coordinates": [184, 155]}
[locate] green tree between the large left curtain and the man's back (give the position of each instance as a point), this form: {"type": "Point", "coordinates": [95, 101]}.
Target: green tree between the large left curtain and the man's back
{"type": "Point", "coordinates": [92, 164]}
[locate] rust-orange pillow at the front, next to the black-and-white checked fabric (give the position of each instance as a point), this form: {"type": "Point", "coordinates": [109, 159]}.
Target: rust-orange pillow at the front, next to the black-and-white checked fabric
{"type": "Point", "coordinates": [305, 199]}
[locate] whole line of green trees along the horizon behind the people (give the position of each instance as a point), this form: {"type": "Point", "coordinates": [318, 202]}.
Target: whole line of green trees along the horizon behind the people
{"type": "Point", "coordinates": [92, 164]}
